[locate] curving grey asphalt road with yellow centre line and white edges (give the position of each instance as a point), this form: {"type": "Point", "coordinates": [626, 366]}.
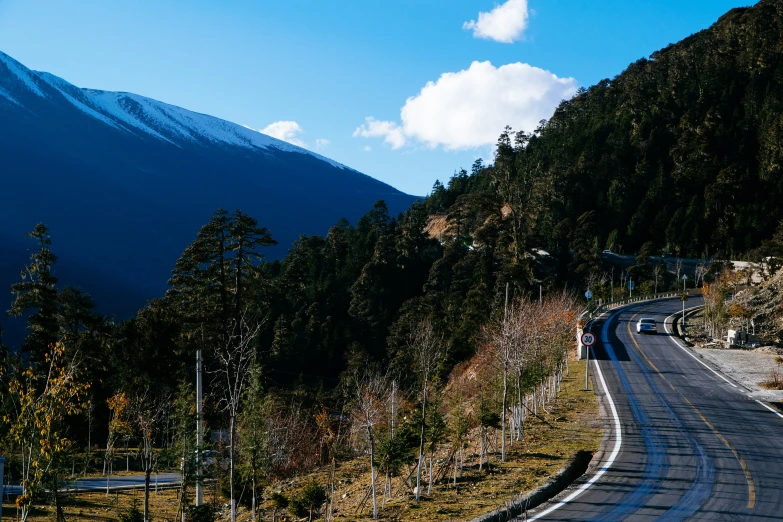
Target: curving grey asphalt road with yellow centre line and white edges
{"type": "Point", "coordinates": [693, 445]}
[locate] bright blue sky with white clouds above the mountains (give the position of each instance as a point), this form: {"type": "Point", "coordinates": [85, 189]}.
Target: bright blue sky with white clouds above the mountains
{"type": "Point", "coordinates": [437, 79]}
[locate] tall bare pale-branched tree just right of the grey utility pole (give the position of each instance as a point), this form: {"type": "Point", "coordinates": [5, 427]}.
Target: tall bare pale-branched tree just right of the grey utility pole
{"type": "Point", "coordinates": [234, 358]}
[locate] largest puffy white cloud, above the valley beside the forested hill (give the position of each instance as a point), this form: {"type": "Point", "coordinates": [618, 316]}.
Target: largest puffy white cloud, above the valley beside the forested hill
{"type": "Point", "coordinates": [470, 108]}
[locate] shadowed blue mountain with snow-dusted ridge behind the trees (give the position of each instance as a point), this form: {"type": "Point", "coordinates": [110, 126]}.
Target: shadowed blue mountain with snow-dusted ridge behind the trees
{"type": "Point", "coordinates": [124, 182]}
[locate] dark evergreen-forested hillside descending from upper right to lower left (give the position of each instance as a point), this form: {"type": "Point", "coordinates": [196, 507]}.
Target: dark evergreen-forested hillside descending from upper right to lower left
{"type": "Point", "coordinates": [680, 153]}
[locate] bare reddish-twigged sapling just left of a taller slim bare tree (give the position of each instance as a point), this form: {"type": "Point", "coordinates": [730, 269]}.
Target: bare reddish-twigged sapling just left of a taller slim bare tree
{"type": "Point", "coordinates": [372, 392]}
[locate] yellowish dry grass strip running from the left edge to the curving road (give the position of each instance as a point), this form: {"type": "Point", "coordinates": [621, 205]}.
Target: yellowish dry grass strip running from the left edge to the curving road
{"type": "Point", "coordinates": [571, 425]}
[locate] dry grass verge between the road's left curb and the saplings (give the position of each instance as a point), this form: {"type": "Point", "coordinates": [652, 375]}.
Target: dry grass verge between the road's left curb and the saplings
{"type": "Point", "coordinates": [549, 442]}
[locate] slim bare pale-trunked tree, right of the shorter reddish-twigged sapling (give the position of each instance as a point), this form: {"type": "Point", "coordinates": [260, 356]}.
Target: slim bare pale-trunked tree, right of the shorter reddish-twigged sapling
{"type": "Point", "coordinates": [427, 348]}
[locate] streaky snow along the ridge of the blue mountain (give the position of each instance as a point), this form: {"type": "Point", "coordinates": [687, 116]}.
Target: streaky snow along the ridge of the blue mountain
{"type": "Point", "coordinates": [137, 114]}
